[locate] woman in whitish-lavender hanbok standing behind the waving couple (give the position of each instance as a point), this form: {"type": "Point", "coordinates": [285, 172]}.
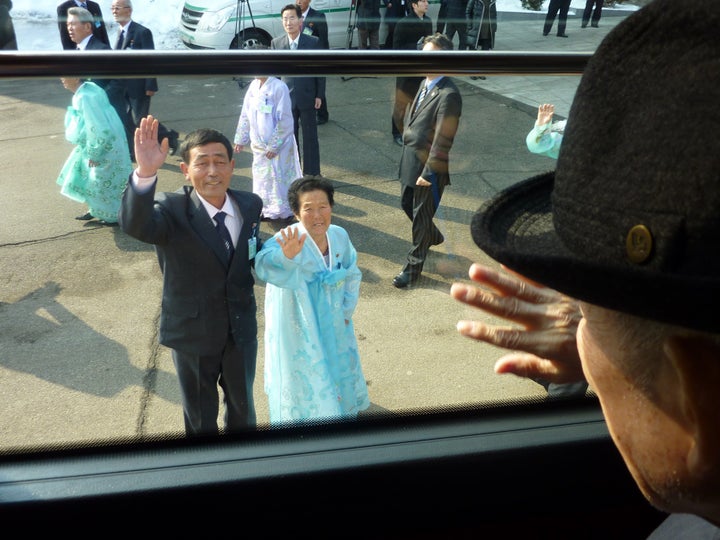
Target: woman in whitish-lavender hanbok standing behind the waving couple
{"type": "Point", "coordinates": [266, 124]}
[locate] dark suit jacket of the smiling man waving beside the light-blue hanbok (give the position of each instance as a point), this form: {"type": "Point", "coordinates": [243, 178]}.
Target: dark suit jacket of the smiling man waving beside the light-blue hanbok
{"type": "Point", "coordinates": [204, 295]}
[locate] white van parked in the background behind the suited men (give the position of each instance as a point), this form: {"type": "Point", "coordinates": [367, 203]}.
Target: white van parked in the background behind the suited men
{"type": "Point", "coordinates": [240, 24]}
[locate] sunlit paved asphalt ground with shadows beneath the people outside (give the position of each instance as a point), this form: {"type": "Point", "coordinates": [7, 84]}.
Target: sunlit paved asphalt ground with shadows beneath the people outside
{"type": "Point", "coordinates": [79, 302]}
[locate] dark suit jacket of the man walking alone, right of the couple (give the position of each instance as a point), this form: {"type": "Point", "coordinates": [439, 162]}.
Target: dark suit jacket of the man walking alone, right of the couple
{"type": "Point", "coordinates": [429, 134]}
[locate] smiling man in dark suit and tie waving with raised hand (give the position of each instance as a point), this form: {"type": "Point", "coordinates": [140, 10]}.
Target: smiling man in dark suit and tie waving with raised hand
{"type": "Point", "coordinates": [206, 237]}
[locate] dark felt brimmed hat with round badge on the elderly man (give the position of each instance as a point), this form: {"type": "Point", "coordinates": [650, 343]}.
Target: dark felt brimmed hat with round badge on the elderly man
{"type": "Point", "coordinates": [630, 218]}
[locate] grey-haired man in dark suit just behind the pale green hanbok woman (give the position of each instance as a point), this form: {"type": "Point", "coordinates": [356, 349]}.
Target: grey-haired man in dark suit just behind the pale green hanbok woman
{"type": "Point", "coordinates": [80, 30]}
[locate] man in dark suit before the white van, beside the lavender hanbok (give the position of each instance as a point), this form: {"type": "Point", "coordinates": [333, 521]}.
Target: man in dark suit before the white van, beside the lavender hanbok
{"type": "Point", "coordinates": [306, 93]}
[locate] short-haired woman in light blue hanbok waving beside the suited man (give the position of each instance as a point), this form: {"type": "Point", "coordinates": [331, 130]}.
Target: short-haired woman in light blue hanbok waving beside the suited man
{"type": "Point", "coordinates": [312, 365]}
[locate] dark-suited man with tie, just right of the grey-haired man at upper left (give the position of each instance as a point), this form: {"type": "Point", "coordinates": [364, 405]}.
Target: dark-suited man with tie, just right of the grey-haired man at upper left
{"type": "Point", "coordinates": [133, 35]}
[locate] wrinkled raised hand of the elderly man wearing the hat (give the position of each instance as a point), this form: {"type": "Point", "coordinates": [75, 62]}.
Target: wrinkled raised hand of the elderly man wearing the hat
{"type": "Point", "coordinates": [543, 336]}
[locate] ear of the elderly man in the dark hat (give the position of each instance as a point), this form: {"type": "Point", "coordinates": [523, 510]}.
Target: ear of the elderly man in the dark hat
{"type": "Point", "coordinates": [696, 360]}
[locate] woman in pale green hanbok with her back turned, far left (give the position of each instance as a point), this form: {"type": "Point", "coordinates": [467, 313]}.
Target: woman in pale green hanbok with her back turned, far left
{"type": "Point", "coordinates": [97, 169]}
